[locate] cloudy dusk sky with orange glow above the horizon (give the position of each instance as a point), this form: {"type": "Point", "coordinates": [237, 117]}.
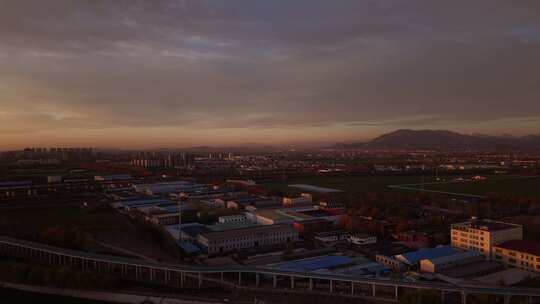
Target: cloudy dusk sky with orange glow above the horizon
{"type": "Point", "coordinates": [143, 74]}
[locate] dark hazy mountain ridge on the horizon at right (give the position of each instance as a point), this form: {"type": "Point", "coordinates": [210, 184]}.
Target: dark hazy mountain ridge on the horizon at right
{"type": "Point", "coordinates": [440, 140]}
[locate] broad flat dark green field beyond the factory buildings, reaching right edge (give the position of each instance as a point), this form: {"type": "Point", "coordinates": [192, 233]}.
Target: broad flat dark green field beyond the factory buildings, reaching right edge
{"type": "Point", "coordinates": [526, 187]}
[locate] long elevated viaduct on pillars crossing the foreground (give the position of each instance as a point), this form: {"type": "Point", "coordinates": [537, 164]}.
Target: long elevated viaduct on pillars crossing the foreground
{"type": "Point", "coordinates": [249, 278]}
